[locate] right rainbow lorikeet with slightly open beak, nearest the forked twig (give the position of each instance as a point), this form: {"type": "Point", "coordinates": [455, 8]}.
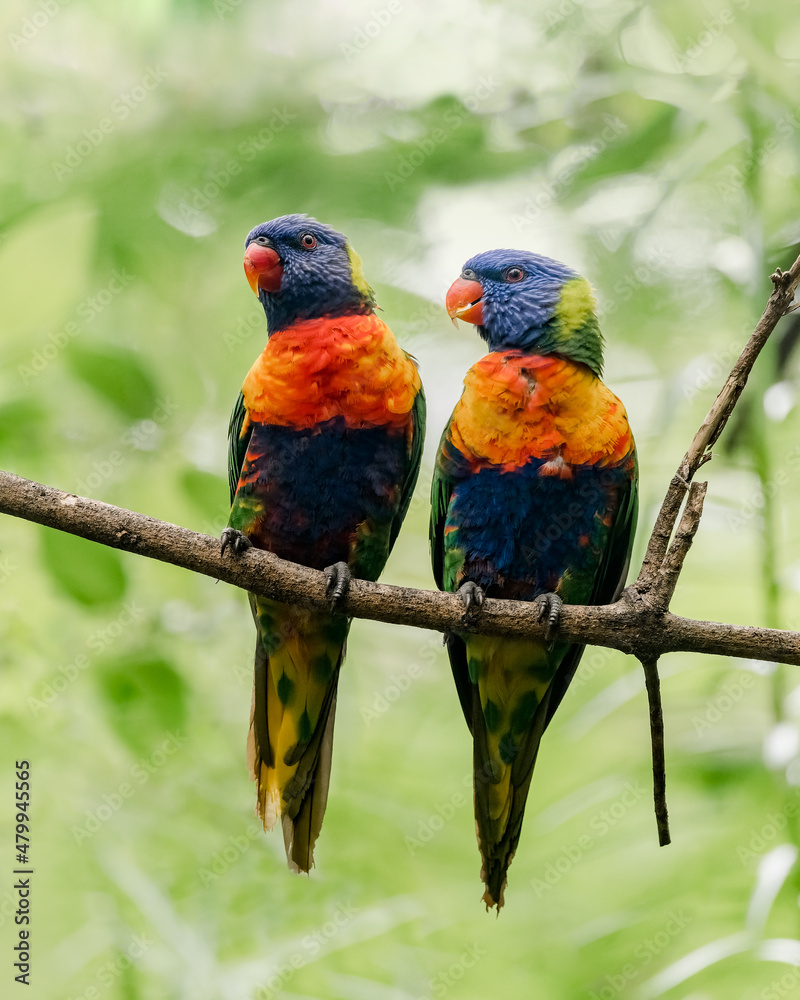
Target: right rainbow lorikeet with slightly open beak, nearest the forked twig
{"type": "Point", "coordinates": [534, 497]}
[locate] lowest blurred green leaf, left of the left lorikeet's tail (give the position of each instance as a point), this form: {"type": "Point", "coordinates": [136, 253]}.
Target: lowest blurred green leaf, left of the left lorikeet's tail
{"type": "Point", "coordinates": [146, 699]}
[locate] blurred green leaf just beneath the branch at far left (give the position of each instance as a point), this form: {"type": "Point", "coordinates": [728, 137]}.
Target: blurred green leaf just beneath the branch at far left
{"type": "Point", "coordinates": [89, 573]}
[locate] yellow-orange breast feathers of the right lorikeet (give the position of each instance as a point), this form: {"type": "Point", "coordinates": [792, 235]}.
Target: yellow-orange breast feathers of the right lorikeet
{"type": "Point", "coordinates": [516, 407]}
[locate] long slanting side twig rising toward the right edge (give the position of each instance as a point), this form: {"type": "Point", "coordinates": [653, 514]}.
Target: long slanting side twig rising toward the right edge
{"type": "Point", "coordinates": [779, 303]}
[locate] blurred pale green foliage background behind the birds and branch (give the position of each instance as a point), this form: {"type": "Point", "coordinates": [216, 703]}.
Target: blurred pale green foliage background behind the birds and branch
{"type": "Point", "coordinates": [652, 146]}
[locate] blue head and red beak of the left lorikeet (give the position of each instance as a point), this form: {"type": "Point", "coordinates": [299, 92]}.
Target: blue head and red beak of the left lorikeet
{"type": "Point", "coordinates": [302, 269]}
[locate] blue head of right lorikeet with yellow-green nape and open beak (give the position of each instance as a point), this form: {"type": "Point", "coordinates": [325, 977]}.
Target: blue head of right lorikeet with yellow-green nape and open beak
{"type": "Point", "coordinates": [522, 301]}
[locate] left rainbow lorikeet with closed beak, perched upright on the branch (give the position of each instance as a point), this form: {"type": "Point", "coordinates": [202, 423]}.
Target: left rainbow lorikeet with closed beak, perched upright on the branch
{"type": "Point", "coordinates": [325, 444]}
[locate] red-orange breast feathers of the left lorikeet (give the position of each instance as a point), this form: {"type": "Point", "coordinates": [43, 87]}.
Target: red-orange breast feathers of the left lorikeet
{"type": "Point", "coordinates": [348, 366]}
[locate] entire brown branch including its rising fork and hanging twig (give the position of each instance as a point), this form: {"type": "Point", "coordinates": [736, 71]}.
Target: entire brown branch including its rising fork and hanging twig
{"type": "Point", "coordinates": [640, 623]}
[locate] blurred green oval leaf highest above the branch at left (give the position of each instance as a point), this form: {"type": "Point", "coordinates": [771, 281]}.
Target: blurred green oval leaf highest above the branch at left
{"type": "Point", "coordinates": [117, 375]}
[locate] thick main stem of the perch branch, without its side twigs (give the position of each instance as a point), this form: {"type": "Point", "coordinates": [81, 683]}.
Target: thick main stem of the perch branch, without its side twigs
{"type": "Point", "coordinates": [631, 626]}
